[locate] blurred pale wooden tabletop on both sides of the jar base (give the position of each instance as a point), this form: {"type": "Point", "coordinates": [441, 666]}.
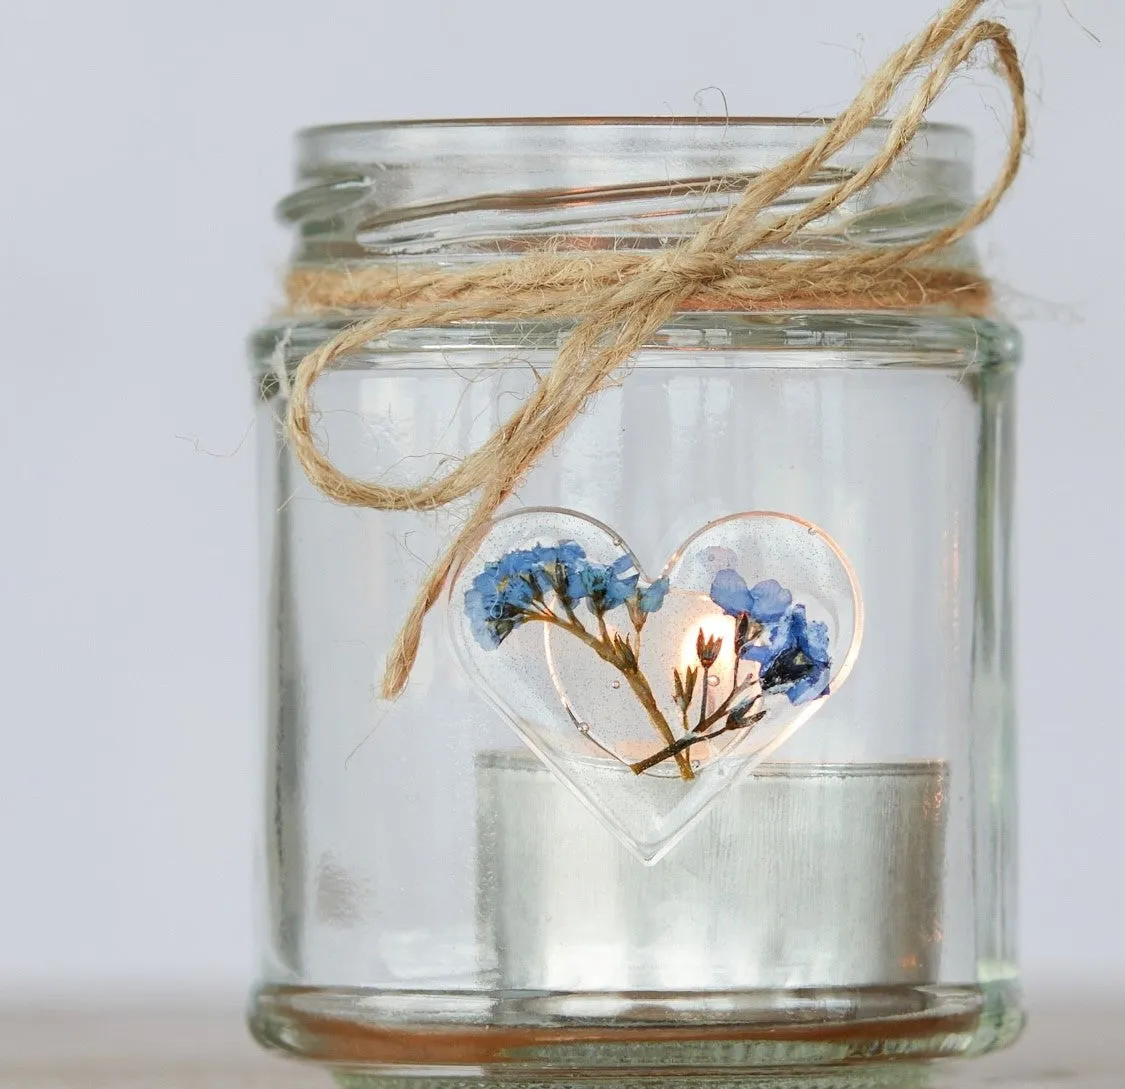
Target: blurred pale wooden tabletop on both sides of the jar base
{"type": "Point", "coordinates": [1065, 1048]}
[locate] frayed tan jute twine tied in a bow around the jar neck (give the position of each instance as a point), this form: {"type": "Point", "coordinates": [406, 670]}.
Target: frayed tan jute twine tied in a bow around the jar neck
{"type": "Point", "coordinates": [618, 301]}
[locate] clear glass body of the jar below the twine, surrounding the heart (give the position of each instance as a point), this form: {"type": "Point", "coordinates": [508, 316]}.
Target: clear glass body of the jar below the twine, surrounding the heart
{"type": "Point", "coordinates": [402, 934]}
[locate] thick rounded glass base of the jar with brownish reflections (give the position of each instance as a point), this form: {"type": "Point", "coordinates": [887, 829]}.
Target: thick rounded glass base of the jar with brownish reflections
{"type": "Point", "coordinates": [385, 1040]}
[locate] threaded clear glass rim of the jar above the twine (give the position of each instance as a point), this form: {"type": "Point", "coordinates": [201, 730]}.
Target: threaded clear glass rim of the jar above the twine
{"type": "Point", "coordinates": [462, 188]}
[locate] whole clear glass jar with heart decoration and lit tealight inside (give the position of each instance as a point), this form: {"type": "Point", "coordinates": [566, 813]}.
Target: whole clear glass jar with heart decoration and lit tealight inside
{"type": "Point", "coordinates": [446, 897]}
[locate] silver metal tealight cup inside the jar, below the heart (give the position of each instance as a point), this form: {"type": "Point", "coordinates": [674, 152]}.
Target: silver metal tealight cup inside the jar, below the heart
{"type": "Point", "coordinates": [802, 876]}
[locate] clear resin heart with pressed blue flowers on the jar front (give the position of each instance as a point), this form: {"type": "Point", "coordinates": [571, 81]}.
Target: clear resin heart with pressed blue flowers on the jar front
{"type": "Point", "coordinates": [651, 697]}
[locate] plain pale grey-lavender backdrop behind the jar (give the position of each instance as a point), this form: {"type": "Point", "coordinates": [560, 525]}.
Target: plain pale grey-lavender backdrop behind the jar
{"type": "Point", "coordinates": [143, 146]}
